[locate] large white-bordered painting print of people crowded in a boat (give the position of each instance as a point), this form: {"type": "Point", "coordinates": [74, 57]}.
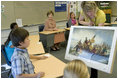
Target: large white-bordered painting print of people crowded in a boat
{"type": "Point", "coordinates": [94, 45]}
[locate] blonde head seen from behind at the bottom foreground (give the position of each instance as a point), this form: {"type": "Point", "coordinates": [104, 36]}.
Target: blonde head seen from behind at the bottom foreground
{"type": "Point", "coordinates": [76, 69]}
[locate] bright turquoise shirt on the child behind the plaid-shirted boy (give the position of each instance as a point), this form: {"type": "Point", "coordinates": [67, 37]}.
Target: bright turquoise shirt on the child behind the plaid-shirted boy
{"type": "Point", "coordinates": [9, 50]}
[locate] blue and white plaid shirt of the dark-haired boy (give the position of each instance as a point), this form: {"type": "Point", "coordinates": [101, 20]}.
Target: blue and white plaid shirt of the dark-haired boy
{"type": "Point", "coordinates": [20, 62]}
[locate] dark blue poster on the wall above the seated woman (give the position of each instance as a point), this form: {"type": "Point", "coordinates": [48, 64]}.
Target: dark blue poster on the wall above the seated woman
{"type": "Point", "coordinates": [60, 6]}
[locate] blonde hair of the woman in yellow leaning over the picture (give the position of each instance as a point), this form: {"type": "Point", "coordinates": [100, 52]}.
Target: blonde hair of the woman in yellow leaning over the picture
{"type": "Point", "coordinates": [89, 5]}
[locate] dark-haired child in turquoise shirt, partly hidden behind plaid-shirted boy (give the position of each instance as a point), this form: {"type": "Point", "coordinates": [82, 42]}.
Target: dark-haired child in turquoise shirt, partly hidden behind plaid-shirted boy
{"type": "Point", "coordinates": [9, 48]}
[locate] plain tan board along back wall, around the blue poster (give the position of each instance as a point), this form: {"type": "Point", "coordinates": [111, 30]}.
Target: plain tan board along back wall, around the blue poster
{"type": "Point", "coordinates": [31, 12]}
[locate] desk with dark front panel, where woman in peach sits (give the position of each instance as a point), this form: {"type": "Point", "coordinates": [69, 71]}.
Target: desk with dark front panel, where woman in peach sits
{"type": "Point", "coordinates": [47, 38]}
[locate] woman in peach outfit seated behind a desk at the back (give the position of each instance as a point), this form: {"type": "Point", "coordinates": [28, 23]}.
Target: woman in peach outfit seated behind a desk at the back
{"type": "Point", "coordinates": [50, 25]}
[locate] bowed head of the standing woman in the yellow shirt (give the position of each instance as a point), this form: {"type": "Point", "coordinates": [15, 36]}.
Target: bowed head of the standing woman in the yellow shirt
{"type": "Point", "coordinates": [89, 8]}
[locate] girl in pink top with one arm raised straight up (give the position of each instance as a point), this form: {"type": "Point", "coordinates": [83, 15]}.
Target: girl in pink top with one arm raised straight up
{"type": "Point", "coordinates": [71, 18]}
